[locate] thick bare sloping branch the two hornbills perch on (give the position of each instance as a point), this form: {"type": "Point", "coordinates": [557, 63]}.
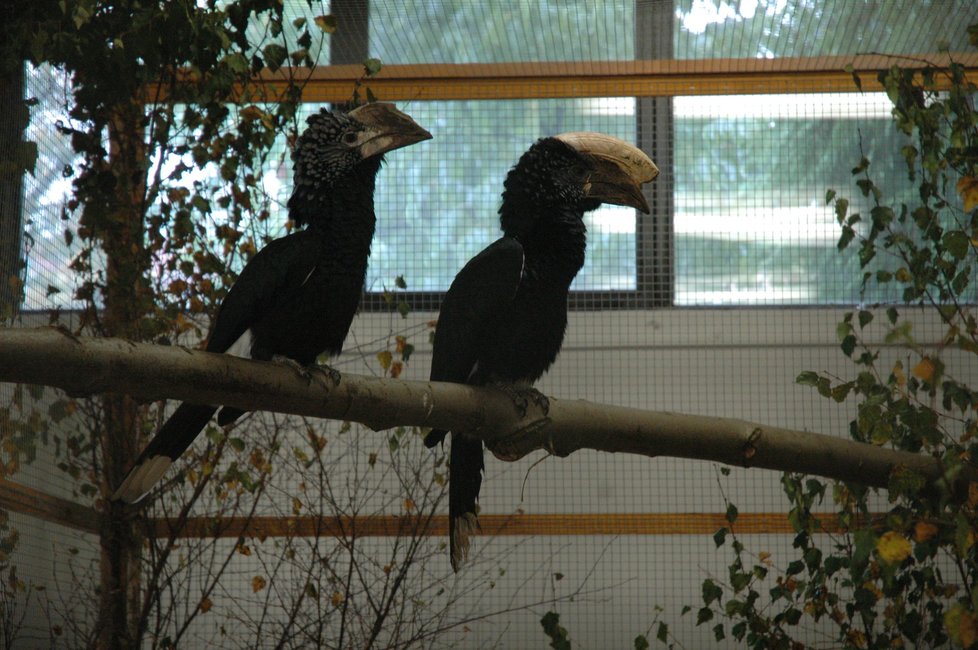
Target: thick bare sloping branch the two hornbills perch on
{"type": "Point", "coordinates": [82, 365]}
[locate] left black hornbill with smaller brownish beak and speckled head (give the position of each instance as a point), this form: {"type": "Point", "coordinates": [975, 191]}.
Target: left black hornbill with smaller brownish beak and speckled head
{"type": "Point", "coordinates": [296, 298]}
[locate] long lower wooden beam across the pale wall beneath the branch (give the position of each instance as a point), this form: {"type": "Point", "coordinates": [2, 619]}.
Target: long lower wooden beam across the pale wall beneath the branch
{"type": "Point", "coordinates": [614, 524]}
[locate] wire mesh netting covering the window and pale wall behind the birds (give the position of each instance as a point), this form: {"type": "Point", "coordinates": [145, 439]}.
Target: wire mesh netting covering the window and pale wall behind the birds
{"type": "Point", "coordinates": [712, 304]}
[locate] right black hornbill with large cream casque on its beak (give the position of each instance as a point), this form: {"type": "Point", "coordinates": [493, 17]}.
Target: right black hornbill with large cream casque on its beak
{"type": "Point", "coordinates": [502, 321]}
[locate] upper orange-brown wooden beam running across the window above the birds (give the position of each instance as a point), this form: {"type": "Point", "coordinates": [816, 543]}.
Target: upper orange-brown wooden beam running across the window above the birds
{"type": "Point", "coordinates": [659, 78]}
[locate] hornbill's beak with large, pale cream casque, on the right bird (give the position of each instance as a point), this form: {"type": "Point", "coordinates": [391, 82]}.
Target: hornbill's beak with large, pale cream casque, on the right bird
{"type": "Point", "coordinates": [620, 169]}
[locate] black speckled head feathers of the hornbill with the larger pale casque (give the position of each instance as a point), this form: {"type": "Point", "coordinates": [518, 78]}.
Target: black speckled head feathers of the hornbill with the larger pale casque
{"type": "Point", "coordinates": [549, 179]}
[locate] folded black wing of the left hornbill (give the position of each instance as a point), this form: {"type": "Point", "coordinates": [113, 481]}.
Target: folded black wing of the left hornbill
{"type": "Point", "coordinates": [267, 282]}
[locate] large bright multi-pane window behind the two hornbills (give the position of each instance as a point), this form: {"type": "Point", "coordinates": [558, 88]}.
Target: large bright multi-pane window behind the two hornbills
{"type": "Point", "coordinates": [739, 215]}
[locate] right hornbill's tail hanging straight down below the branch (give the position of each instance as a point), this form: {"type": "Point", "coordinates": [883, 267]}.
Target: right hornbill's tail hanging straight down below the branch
{"type": "Point", "coordinates": [464, 482]}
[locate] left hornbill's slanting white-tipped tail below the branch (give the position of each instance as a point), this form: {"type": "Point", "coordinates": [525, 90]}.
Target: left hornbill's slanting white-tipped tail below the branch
{"type": "Point", "coordinates": [173, 438]}
